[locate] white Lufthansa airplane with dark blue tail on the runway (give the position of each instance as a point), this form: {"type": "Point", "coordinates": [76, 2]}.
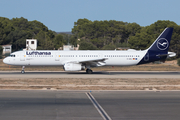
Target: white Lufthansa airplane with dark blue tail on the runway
{"type": "Point", "coordinates": [85, 59]}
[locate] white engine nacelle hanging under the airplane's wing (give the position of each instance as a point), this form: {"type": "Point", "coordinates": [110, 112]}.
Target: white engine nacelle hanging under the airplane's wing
{"type": "Point", "coordinates": [73, 67]}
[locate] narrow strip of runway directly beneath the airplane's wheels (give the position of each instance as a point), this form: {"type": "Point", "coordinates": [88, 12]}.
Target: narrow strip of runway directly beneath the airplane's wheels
{"type": "Point", "coordinates": [96, 74]}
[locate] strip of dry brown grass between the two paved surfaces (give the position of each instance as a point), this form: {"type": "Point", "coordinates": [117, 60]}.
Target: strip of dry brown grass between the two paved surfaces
{"type": "Point", "coordinates": [91, 84]}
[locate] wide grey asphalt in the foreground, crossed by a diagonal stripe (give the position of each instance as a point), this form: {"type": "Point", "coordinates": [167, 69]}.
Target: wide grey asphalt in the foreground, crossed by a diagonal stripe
{"type": "Point", "coordinates": [76, 105]}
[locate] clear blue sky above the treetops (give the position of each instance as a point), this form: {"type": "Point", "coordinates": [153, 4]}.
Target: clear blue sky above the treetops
{"type": "Point", "coordinates": [60, 15]}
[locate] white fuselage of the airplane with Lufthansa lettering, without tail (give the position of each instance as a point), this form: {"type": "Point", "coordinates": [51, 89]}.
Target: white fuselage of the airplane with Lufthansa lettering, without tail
{"type": "Point", "coordinates": [58, 58]}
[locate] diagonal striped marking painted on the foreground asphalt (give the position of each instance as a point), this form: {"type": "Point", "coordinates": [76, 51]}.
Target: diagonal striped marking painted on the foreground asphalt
{"type": "Point", "coordinates": [101, 111]}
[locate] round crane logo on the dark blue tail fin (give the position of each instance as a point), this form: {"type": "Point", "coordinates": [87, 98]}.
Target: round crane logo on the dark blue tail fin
{"type": "Point", "coordinates": [162, 44]}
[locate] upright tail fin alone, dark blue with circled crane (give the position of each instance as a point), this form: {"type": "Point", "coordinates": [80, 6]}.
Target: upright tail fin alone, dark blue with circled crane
{"type": "Point", "coordinates": [162, 43]}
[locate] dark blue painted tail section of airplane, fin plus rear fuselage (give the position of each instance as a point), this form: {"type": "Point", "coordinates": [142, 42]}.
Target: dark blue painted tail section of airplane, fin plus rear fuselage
{"type": "Point", "coordinates": [159, 49]}
